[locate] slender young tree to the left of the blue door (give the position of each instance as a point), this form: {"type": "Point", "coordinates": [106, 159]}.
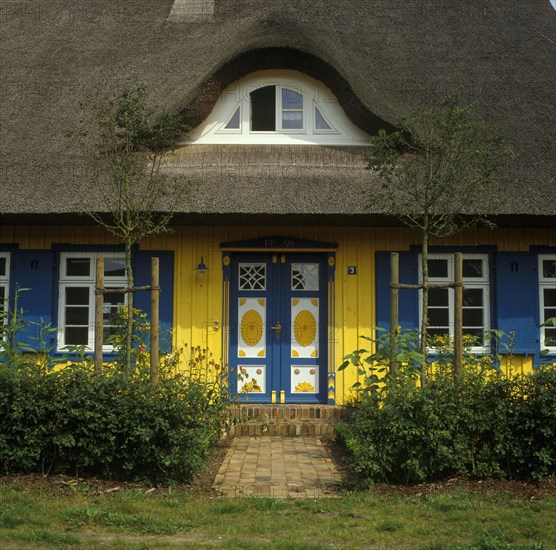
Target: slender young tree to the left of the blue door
{"type": "Point", "coordinates": [131, 139]}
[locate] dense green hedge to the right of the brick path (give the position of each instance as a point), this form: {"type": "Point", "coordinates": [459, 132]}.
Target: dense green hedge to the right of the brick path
{"type": "Point", "coordinates": [499, 427]}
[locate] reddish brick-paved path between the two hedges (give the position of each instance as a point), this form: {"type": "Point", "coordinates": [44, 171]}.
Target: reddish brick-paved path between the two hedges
{"type": "Point", "coordinates": [279, 467]}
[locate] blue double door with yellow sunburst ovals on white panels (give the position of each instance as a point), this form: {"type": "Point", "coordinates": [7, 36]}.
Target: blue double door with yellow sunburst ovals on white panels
{"type": "Point", "coordinates": [278, 318]}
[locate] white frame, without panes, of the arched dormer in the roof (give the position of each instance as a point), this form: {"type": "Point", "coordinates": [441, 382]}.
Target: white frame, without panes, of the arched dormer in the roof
{"type": "Point", "coordinates": [315, 94]}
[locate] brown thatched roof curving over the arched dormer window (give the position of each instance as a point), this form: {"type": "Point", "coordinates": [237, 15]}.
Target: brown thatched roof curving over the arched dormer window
{"type": "Point", "coordinates": [380, 58]}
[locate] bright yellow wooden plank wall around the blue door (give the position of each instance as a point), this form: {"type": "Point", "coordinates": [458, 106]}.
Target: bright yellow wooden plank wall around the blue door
{"type": "Point", "coordinates": [199, 303]}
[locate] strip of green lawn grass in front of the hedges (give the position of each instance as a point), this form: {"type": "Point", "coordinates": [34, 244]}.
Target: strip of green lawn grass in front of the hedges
{"type": "Point", "coordinates": [45, 518]}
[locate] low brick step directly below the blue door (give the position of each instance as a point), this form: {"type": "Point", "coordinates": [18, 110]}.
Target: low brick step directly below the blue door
{"type": "Point", "coordinates": [290, 420]}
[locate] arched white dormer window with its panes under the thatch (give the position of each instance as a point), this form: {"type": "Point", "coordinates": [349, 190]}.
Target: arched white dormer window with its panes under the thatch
{"type": "Point", "coordinates": [278, 107]}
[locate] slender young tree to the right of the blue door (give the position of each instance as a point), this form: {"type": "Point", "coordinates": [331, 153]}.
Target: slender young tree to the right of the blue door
{"type": "Point", "coordinates": [439, 173]}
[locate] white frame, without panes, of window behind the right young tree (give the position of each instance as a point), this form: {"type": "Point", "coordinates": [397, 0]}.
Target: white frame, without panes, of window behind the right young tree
{"type": "Point", "coordinates": [482, 282]}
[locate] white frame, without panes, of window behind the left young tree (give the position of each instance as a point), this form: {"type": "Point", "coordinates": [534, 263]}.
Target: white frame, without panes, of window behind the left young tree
{"type": "Point", "coordinates": [88, 281]}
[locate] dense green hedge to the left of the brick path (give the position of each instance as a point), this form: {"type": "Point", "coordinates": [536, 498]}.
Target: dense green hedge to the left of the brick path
{"type": "Point", "coordinates": [111, 425]}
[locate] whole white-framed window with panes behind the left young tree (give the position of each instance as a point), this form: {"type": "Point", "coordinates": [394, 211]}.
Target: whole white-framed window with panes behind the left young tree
{"type": "Point", "coordinates": [76, 311]}
